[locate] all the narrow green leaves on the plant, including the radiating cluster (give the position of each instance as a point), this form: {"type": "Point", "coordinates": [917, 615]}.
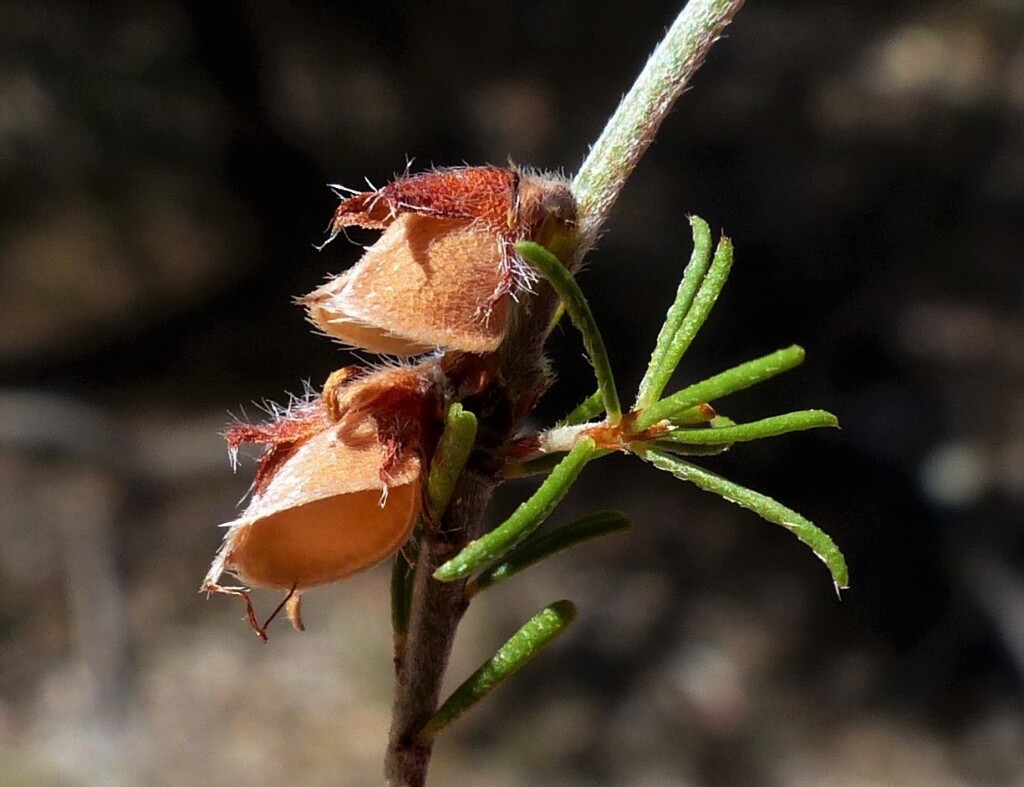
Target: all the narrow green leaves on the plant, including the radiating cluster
{"type": "Point", "coordinates": [660, 429]}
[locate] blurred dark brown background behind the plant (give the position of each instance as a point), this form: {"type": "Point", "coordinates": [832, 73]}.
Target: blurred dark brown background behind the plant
{"type": "Point", "coordinates": [163, 172]}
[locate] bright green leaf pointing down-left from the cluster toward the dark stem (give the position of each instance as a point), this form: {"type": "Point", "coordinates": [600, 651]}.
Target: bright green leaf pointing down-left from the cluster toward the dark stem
{"type": "Point", "coordinates": [524, 521]}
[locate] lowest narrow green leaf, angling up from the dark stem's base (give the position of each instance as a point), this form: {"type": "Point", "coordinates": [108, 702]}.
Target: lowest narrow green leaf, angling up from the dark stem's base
{"type": "Point", "coordinates": [522, 647]}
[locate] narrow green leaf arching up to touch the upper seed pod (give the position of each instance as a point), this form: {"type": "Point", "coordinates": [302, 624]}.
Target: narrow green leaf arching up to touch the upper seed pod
{"type": "Point", "coordinates": [576, 304]}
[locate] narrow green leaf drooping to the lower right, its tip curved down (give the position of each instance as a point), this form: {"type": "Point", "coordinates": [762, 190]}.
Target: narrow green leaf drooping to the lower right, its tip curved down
{"type": "Point", "coordinates": [762, 505]}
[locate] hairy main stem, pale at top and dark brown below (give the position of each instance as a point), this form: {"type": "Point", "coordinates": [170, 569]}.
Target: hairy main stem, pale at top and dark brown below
{"type": "Point", "coordinates": [438, 607]}
